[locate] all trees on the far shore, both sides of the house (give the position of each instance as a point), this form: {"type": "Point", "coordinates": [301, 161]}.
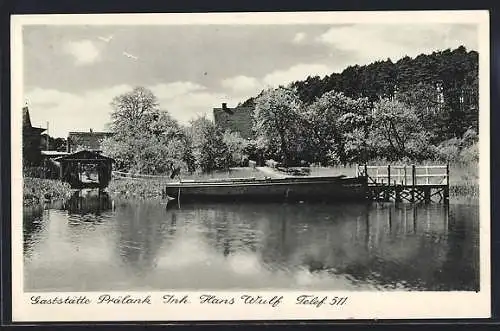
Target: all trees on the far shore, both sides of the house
{"type": "Point", "coordinates": [415, 110]}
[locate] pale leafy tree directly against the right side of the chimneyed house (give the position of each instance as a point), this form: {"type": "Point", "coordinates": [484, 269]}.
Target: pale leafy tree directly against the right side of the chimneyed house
{"type": "Point", "coordinates": [276, 119]}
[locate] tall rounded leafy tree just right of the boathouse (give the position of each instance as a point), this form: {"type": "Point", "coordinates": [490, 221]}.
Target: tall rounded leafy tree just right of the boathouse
{"type": "Point", "coordinates": [146, 139]}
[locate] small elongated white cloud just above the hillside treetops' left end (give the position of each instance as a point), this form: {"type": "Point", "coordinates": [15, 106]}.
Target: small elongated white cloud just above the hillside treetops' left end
{"type": "Point", "coordinates": [296, 72]}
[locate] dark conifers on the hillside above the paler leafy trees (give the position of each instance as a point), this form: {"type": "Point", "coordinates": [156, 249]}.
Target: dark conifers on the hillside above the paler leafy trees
{"type": "Point", "coordinates": [448, 79]}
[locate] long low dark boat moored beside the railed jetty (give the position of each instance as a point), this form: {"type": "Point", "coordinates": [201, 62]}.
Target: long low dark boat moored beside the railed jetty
{"type": "Point", "coordinates": [333, 188]}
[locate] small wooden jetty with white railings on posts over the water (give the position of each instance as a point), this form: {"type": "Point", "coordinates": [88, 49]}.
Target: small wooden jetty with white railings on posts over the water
{"type": "Point", "coordinates": [403, 183]}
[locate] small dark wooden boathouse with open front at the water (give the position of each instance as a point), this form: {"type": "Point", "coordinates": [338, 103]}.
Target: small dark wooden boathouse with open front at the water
{"type": "Point", "coordinates": [86, 169]}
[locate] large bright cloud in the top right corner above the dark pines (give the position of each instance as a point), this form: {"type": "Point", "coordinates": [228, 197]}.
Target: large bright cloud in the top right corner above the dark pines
{"type": "Point", "coordinates": [369, 43]}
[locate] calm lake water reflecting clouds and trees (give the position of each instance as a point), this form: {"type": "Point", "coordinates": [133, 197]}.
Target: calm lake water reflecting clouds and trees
{"type": "Point", "coordinates": [93, 244]}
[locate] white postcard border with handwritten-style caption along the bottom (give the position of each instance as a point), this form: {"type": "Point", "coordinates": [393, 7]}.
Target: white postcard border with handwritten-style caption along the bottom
{"type": "Point", "coordinates": [360, 305]}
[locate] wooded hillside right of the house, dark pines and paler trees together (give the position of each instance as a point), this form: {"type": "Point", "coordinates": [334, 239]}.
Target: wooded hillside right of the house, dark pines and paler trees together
{"type": "Point", "coordinates": [423, 108]}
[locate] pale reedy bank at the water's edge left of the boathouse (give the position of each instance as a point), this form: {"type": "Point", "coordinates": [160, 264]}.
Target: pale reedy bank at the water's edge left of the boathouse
{"type": "Point", "coordinates": [36, 190]}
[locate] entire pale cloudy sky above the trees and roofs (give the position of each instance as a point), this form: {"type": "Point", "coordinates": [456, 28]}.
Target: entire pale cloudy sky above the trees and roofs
{"type": "Point", "coordinates": [72, 73]}
